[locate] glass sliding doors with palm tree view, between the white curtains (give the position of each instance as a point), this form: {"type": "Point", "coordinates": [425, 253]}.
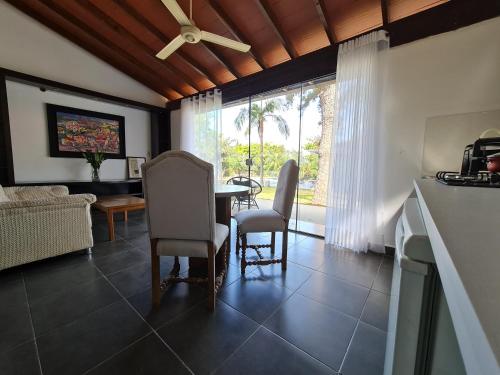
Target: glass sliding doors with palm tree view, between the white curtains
{"type": "Point", "coordinates": [259, 134]}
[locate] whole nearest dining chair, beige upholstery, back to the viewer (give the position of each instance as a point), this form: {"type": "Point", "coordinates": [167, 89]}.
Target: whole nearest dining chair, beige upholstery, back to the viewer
{"type": "Point", "coordinates": [180, 211]}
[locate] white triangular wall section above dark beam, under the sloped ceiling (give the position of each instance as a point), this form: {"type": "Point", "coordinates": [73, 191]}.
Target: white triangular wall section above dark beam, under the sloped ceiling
{"type": "Point", "coordinates": [29, 47]}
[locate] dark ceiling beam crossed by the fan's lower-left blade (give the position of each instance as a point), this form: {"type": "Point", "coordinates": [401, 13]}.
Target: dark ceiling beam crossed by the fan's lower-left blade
{"type": "Point", "coordinates": [138, 17]}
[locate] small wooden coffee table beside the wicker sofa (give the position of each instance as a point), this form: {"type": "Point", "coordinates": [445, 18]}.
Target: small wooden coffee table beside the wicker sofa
{"type": "Point", "coordinates": [118, 203]}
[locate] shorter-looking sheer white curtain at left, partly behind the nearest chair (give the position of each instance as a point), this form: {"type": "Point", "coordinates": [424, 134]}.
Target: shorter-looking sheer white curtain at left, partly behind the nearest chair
{"type": "Point", "coordinates": [201, 124]}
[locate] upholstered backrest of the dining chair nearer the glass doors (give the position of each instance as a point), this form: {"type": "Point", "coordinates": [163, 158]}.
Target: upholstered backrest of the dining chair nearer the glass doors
{"type": "Point", "coordinates": [286, 188]}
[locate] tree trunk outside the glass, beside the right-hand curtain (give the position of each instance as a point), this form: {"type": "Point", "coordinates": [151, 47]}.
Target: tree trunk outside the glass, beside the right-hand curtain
{"type": "Point", "coordinates": [327, 108]}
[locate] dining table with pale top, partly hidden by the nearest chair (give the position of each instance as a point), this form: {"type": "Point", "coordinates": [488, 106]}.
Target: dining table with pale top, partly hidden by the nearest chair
{"type": "Point", "coordinates": [223, 195]}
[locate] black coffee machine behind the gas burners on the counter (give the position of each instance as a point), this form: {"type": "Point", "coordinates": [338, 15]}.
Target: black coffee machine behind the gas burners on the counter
{"type": "Point", "coordinates": [474, 160]}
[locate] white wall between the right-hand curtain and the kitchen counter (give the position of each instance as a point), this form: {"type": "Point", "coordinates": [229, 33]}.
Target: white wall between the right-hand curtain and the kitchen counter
{"type": "Point", "coordinates": [455, 72]}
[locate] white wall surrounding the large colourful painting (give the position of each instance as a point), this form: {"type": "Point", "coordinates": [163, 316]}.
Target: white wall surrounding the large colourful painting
{"type": "Point", "coordinates": [30, 142]}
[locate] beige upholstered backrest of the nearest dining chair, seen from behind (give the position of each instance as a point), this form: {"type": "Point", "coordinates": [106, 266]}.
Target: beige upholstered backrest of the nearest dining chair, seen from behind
{"type": "Point", "coordinates": [180, 199]}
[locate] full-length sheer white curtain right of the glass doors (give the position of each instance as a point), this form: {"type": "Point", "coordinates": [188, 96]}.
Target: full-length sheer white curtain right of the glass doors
{"type": "Point", "coordinates": [354, 208]}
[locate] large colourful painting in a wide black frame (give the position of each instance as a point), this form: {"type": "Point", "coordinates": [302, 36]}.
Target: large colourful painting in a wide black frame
{"type": "Point", "coordinates": [73, 131]}
